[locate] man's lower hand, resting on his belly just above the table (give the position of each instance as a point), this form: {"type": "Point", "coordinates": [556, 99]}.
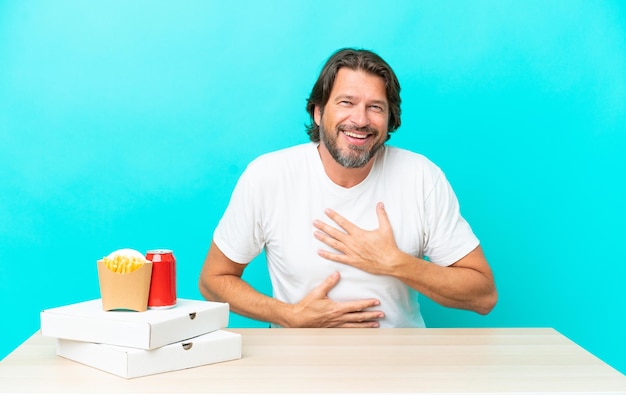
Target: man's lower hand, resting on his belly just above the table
{"type": "Point", "coordinates": [317, 310]}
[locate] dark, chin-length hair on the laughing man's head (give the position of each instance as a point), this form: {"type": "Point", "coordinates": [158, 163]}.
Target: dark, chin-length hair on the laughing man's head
{"type": "Point", "coordinates": [355, 59]}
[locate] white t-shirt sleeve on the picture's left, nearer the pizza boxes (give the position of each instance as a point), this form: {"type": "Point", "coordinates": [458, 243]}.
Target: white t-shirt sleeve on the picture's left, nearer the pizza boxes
{"type": "Point", "coordinates": [239, 233]}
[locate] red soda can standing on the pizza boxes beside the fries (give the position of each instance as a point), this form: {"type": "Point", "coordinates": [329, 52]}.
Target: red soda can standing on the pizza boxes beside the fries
{"type": "Point", "coordinates": [163, 284]}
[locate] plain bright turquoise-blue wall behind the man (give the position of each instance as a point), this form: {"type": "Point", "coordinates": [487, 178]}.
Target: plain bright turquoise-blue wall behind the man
{"type": "Point", "coordinates": [127, 124]}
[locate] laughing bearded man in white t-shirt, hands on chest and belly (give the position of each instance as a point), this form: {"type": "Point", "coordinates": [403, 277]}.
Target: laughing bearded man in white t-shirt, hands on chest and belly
{"type": "Point", "coordinates": [347, 221]}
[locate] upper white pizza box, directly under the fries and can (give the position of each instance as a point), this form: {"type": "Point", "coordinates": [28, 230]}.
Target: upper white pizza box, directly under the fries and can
{"type": "Point", "coordinates": [150, 329]}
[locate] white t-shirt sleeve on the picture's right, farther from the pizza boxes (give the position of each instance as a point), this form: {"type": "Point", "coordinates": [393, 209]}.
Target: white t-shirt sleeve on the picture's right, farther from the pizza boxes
{"type": "Point", "coordinates": [448, 236]}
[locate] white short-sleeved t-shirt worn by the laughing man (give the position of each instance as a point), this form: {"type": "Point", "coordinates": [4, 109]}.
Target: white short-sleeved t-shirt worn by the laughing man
{"type": "Point", "coordinates": [280, 194]}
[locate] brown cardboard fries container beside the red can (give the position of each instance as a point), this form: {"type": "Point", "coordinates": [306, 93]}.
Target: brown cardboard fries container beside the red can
{"type": "Point", "coordinates": [125, 291]}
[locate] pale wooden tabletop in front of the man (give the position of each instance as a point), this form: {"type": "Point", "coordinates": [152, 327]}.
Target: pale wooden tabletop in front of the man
{"type": "Point", "coordinates": [514, 360]}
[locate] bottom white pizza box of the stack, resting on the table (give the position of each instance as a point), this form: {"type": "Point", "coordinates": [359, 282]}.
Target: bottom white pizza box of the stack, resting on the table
{"type": "Point", "coordinates": [218, 346]}
